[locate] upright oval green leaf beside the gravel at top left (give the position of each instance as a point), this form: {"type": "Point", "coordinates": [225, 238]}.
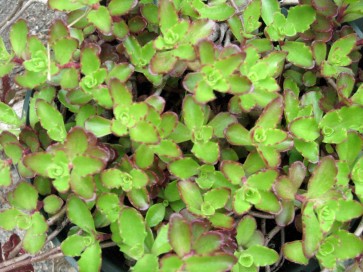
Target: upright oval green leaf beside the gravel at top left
{"type": "Point", "coordinates": [18, 37]}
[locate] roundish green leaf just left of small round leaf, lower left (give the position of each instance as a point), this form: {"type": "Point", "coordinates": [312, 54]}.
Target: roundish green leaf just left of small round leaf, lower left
{"type": "Point", "coordinates": [25, 197]}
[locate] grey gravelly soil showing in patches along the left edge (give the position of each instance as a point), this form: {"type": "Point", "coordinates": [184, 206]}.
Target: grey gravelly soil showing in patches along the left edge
{"type": "Point", "coordinates": [39, 18]}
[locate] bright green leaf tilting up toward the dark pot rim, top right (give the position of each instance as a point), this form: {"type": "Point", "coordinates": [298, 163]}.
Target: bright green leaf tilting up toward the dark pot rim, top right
{"type": "Point", "coordinates": [338, 54]}
